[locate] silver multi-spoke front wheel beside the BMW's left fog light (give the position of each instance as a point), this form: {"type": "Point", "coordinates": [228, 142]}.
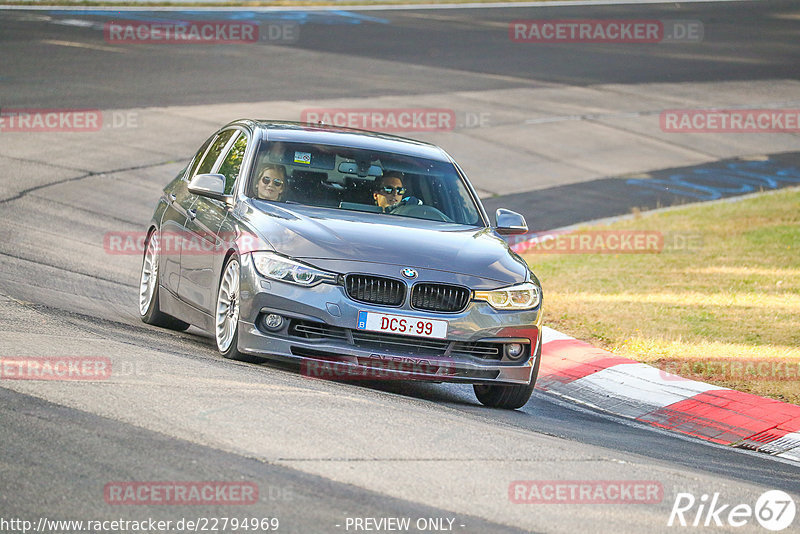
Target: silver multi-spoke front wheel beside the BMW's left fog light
{"type": "Point", "coordinates": [226, 314]}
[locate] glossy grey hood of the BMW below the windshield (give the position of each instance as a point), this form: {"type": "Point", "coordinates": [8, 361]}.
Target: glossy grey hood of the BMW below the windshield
{"type": "Point", "coordinates": [310, 233]}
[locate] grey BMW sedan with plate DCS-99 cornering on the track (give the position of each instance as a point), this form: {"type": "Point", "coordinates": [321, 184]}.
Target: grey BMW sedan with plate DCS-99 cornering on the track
{"type": "Point", "coordinates": [357, 254]}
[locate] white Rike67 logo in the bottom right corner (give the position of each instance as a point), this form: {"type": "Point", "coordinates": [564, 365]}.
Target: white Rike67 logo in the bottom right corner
{"type": "Point", "coordinates": [774, 510]}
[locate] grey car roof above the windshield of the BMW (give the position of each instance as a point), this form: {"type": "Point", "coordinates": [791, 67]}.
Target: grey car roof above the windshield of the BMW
{"type": "Point", "coordinates": [347, 137]}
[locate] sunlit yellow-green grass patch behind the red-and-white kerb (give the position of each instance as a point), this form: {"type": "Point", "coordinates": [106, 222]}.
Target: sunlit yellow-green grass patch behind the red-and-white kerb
{"type": "Point", "coordinates": [732, 296]}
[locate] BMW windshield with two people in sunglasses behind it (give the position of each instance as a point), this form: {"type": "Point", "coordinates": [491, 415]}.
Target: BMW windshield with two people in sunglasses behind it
{"type": "Point", "coordinates": [362, 180]}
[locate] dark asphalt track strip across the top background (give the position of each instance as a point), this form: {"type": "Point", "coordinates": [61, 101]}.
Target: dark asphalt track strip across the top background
{"type": "Point", "coordinates": [458, 43]}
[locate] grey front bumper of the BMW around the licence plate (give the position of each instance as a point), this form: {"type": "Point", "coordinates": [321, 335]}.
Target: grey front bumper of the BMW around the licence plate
{"type": "Point", "coordinates": [319, 332]}
